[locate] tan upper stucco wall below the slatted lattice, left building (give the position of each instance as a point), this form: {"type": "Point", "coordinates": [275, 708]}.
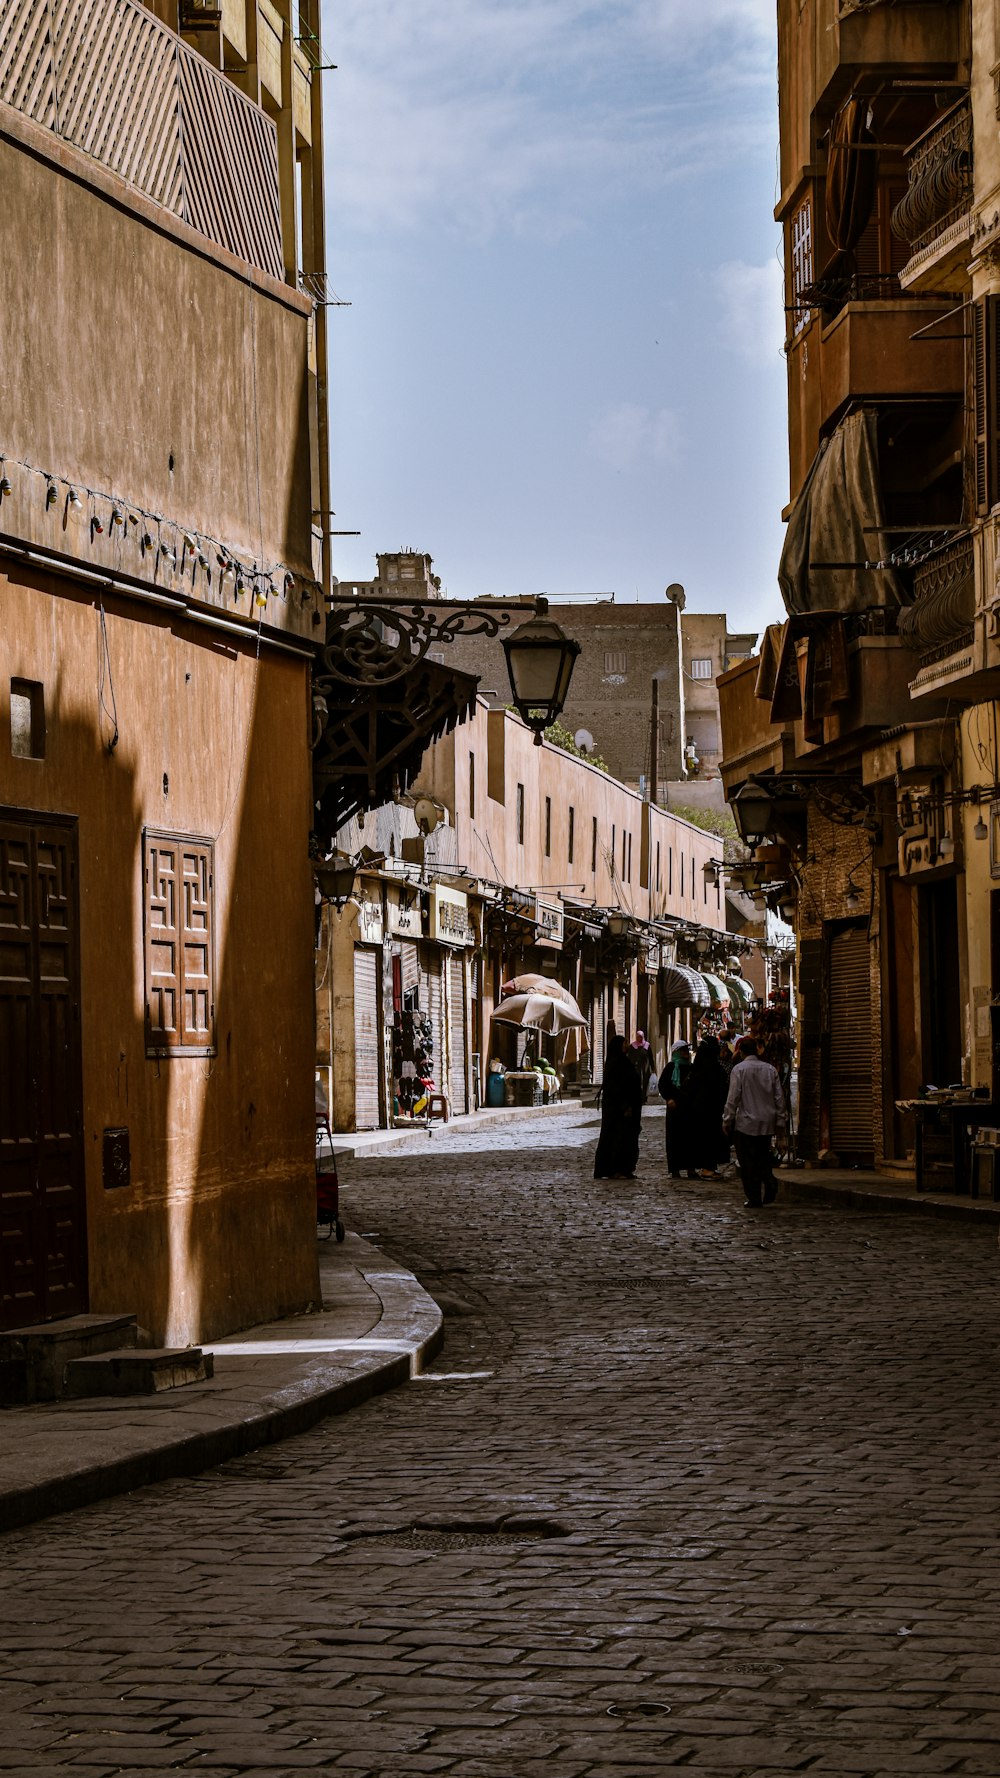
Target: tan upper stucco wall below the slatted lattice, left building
{"type": "Point", "coordinates": [138, 344]}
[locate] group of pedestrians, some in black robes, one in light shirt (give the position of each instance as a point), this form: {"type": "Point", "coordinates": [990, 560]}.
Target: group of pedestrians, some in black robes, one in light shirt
{"type": "Point", "coordinates": [713, 1100]}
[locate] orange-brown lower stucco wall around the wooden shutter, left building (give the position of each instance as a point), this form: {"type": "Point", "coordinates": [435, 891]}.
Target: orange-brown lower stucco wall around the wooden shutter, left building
{"type": "Point", "coordinates": [218, 1228]}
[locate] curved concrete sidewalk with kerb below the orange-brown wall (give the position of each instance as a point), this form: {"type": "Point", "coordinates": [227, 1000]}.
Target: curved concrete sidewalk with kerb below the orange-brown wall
{"type": "Point", "coordinates": [376, 1329]}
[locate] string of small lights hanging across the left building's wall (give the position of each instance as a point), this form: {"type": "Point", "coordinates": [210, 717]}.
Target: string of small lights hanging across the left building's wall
{"type": "Point", "coordinates": [173, 550]}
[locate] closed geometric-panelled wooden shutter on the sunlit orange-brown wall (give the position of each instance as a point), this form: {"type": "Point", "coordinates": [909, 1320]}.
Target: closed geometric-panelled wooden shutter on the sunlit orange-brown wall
{"type": "Point", "coordinates": [179, 929]}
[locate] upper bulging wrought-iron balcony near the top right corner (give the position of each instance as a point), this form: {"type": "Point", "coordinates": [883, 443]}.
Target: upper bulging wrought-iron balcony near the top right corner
{"type": "Point", "coordinates": [935, 218]}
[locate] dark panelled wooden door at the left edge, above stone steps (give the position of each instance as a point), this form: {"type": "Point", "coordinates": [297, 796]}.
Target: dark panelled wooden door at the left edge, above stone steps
{"type": "Point", "coordinates": [44, 1237]}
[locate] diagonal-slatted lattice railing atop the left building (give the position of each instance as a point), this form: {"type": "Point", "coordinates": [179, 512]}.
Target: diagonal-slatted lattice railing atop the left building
{"type": "Point", "coordinates": [111, 79]}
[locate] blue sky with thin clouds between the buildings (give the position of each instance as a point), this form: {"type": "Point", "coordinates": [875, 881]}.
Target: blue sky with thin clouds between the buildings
{"type": "Point", "coordinates": [561, 367]}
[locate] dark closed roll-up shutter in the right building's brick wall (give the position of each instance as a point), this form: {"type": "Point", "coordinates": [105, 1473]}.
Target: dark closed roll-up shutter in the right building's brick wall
{"type": "Point", "coordinates": [851, 1045]}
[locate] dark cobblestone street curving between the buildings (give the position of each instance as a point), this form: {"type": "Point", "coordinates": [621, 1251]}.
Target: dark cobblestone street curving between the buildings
{"type": "Point", "coordinates": [766, 1448]}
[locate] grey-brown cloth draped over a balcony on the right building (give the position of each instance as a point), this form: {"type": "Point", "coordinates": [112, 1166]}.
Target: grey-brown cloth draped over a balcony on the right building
{"type": "Point", "coordinates": [835, 518]}
